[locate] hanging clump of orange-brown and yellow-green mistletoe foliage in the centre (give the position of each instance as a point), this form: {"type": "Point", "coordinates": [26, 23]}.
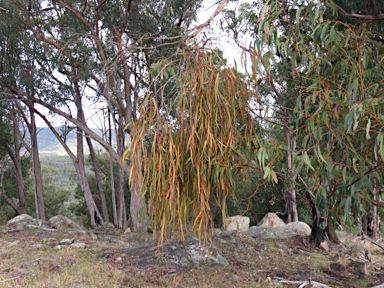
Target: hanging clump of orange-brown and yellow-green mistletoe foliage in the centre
{"type": "Point", "coordinates": [191, 147]}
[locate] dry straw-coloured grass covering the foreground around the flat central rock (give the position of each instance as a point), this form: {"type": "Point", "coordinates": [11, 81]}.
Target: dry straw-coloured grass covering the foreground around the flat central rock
{"type": "Point", "coordinates": [22, 265]}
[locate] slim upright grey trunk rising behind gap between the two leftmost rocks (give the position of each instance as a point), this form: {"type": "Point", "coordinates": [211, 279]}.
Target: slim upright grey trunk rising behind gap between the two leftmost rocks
{"type": "Point", "coordinates": [36, 167]}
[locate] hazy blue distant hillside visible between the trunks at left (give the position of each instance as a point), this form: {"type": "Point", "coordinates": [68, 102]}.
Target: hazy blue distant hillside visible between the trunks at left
{"type": "Point", "coordinates": [50, 146]}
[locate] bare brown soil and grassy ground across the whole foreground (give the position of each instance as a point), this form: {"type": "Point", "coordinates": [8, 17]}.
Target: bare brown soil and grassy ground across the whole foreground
{"type": "Point", "coordinates": [257, 263]}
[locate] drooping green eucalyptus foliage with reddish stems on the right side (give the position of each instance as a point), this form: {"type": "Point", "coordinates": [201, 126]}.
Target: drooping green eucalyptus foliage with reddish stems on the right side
{"type": "Point", "coordinates": [337, 69]}
